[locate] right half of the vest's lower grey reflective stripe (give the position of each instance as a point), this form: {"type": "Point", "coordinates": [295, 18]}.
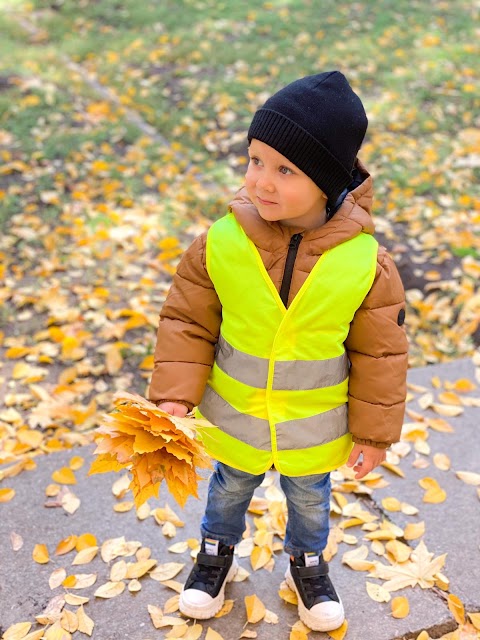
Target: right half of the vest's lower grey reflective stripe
{"type": "Point", "coordinates": [312, 431]}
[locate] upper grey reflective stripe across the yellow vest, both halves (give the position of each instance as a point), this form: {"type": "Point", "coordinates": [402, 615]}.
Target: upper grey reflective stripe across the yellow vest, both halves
{"type": "Point", "coordinates": [289, 375]}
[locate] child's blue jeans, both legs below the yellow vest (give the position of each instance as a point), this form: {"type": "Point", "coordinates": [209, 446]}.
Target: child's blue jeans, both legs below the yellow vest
{"type": "Point", "coordinates": [308, 503]}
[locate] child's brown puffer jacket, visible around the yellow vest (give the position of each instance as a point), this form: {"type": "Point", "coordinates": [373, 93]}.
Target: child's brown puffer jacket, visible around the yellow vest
{"type": "Point", "coordinates": [376, 344]}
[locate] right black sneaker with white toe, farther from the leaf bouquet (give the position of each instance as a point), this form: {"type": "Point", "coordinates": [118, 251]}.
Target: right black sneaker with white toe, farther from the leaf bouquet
{"type": "Point", "coordinates": [319, 606]}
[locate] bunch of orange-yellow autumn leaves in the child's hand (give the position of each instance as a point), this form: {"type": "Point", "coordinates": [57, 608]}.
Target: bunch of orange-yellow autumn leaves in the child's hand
{"type": "Point", "coordinates": [153, 446]}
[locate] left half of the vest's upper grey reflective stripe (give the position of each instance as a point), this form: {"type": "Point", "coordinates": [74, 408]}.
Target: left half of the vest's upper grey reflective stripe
{"type": "Point", "coordinates": [241, 366]}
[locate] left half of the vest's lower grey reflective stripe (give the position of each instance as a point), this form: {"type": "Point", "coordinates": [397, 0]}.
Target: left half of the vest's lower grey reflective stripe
{"type": "Point", "coordinates": [248, 429]}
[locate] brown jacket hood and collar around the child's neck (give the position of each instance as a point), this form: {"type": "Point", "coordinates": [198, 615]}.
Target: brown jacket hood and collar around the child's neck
{"type": "Point", "coordinates": [352, 218]}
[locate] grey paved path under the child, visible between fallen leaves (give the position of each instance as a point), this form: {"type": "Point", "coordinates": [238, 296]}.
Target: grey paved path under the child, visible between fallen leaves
{"type": "Point", "coordinates": [451, 527]}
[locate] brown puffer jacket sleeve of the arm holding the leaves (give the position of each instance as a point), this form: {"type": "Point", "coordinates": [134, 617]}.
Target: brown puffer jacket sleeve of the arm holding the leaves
{"type": "Point", "coordinates": [187, 333]}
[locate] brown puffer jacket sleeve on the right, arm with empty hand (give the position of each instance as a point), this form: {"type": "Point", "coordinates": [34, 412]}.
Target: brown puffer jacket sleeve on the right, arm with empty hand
{"type": "Point", "coordinates": [378, 352]}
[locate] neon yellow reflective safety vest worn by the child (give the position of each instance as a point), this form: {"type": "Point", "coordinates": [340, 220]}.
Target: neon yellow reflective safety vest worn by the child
{"type": "Point", "coordinates": [277, 392]}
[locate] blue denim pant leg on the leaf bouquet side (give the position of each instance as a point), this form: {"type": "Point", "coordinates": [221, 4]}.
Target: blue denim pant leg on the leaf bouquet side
{"type": "Point", "coordinates": [229, 494]}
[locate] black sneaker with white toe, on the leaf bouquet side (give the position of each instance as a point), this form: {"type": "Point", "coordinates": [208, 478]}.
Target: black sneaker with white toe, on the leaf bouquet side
{"type": "Point", "coordinates": [203, 593]}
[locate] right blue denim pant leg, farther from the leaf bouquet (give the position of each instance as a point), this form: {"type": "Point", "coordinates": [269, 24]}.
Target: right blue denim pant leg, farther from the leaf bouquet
{"type": "Point", "coordinates": [308, 503]}
